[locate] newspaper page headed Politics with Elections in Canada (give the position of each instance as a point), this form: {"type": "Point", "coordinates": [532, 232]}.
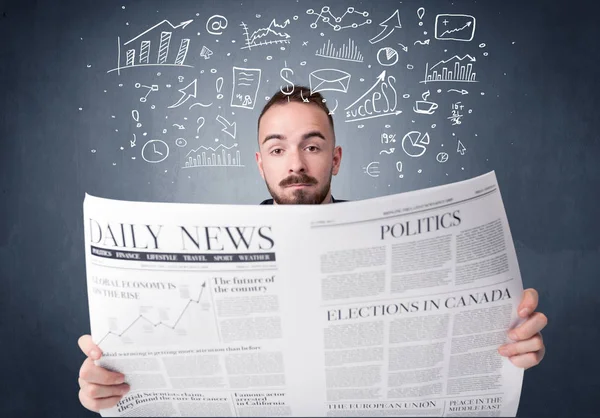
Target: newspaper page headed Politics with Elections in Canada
{"type": "Point", "coordinates": [417, 292]}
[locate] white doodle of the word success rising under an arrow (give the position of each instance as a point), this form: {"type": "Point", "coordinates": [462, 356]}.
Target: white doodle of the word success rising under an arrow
{"type": "Point", "coordinates": [366, 106]}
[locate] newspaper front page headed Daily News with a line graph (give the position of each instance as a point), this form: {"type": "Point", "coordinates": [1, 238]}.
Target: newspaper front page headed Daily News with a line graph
{"type": "Point", "coordinates": [188, 302]}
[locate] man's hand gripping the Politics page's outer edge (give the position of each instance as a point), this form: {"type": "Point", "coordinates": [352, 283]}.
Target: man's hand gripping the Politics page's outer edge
{"type": "Point", "coordinates": [528, 349]}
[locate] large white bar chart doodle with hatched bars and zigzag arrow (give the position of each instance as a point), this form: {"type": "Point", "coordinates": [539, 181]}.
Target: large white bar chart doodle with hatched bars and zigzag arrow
{"type": "Point", "coordinates": [145, 55]}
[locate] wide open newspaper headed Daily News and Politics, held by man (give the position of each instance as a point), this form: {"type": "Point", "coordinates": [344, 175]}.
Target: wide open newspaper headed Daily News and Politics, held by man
{"type": "Point", "coordinates": [392, 306]}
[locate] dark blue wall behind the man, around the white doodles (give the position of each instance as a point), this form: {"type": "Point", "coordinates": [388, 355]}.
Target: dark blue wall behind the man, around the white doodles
{"type": "Point", "coordinates": [537, 127]}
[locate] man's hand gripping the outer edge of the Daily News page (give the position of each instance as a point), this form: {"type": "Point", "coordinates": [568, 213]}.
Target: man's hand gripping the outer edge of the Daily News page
{"type": "Point", "coordinates": [99, 388]}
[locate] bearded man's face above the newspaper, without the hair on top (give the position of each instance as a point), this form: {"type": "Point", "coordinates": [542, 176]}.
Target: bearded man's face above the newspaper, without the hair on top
{"type": "Point", "coordinates": [297, 155]}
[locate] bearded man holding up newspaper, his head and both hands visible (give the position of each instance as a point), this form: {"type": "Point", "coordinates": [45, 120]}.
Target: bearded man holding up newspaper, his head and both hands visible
{"type": "Point", "coordinates": [297, 158]}
